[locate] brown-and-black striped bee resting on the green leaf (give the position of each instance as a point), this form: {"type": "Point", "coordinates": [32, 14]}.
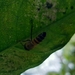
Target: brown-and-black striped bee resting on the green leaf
{"type": "Point", "coordinates": [31, 43]}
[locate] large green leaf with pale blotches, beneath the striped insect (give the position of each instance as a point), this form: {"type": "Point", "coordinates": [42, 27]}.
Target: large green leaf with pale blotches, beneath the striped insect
{"type": "Point", "coordinates": [16, 18]}
